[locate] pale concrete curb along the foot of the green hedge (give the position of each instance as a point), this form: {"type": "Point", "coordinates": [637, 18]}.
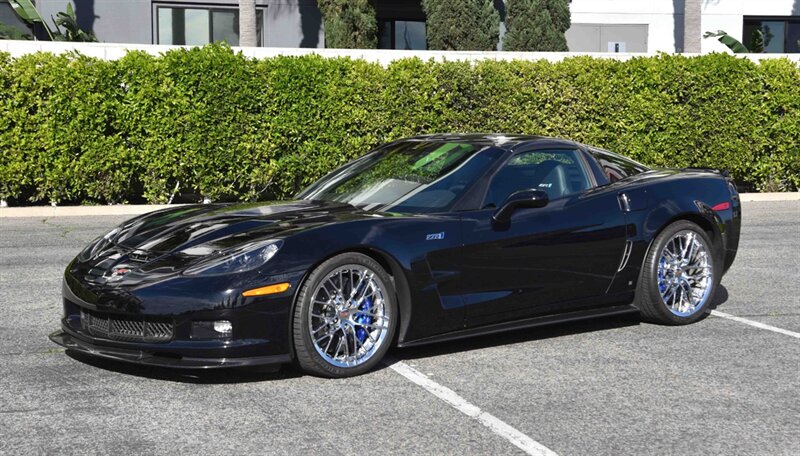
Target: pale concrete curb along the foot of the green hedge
{"type": "Point", "coordinates": [131, 209]}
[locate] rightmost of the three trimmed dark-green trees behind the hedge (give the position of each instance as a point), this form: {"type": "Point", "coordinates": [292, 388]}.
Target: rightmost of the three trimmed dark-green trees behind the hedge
{"type": "Point", "coordinates": [536, 25]}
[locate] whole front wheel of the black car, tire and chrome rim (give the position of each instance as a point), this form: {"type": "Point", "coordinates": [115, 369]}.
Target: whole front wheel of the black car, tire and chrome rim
{"type": "Point", "coordinates": [345, 317]}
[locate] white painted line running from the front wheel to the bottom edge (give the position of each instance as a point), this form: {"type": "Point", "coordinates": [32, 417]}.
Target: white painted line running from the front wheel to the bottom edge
{"type": "Point", "coordinates": [496, 425]}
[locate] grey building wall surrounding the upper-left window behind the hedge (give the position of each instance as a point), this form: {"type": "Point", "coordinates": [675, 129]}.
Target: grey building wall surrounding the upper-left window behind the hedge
{"type": "Point", "coordinates": [287, 23]}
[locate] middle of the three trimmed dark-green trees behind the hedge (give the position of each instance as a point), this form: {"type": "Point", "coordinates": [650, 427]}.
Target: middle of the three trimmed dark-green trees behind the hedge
{"type": "Point", "coordinates": [462, 25]}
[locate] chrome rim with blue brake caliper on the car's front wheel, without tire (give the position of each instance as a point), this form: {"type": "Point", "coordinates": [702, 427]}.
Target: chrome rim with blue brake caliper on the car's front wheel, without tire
{"type": "Point", "coordinates": [349, 316]}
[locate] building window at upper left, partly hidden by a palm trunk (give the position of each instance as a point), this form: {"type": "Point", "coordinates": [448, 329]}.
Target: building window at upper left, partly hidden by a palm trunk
{"type": "Point", "coordinates": [199, 26]}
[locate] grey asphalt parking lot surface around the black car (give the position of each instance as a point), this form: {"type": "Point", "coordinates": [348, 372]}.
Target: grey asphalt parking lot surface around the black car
{"type": "Point", "coordinates": [613, 386]}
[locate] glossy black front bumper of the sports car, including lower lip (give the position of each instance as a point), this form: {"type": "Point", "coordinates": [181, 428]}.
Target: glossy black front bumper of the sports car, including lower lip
{"type": "Point", "coordinates": [152, 324]}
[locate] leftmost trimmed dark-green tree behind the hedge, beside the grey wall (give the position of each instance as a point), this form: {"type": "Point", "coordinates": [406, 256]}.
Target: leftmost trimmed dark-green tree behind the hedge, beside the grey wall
{"type": "Point", "coordinates": [349, 24]}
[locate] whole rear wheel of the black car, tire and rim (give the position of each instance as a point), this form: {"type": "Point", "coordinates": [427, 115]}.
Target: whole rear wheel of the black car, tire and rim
{"type": "Point", "coordinates": [670, 291]}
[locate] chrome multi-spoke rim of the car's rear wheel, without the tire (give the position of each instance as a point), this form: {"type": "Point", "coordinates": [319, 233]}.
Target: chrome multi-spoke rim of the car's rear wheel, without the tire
{"type": "Point", "coordinates": [685, 273]}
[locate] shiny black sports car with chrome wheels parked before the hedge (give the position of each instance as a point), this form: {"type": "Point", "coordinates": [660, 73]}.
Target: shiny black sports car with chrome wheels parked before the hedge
{"type": "Point", "coordinates": [422, 240]}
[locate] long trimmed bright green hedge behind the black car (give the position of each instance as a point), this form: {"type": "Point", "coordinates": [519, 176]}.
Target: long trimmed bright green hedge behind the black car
{"type": "Point", "coordinates": [211, 123]}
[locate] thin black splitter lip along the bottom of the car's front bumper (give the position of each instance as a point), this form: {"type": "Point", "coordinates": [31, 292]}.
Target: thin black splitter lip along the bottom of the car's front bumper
{"type": "Point", "coordinates": [133, 355]}
